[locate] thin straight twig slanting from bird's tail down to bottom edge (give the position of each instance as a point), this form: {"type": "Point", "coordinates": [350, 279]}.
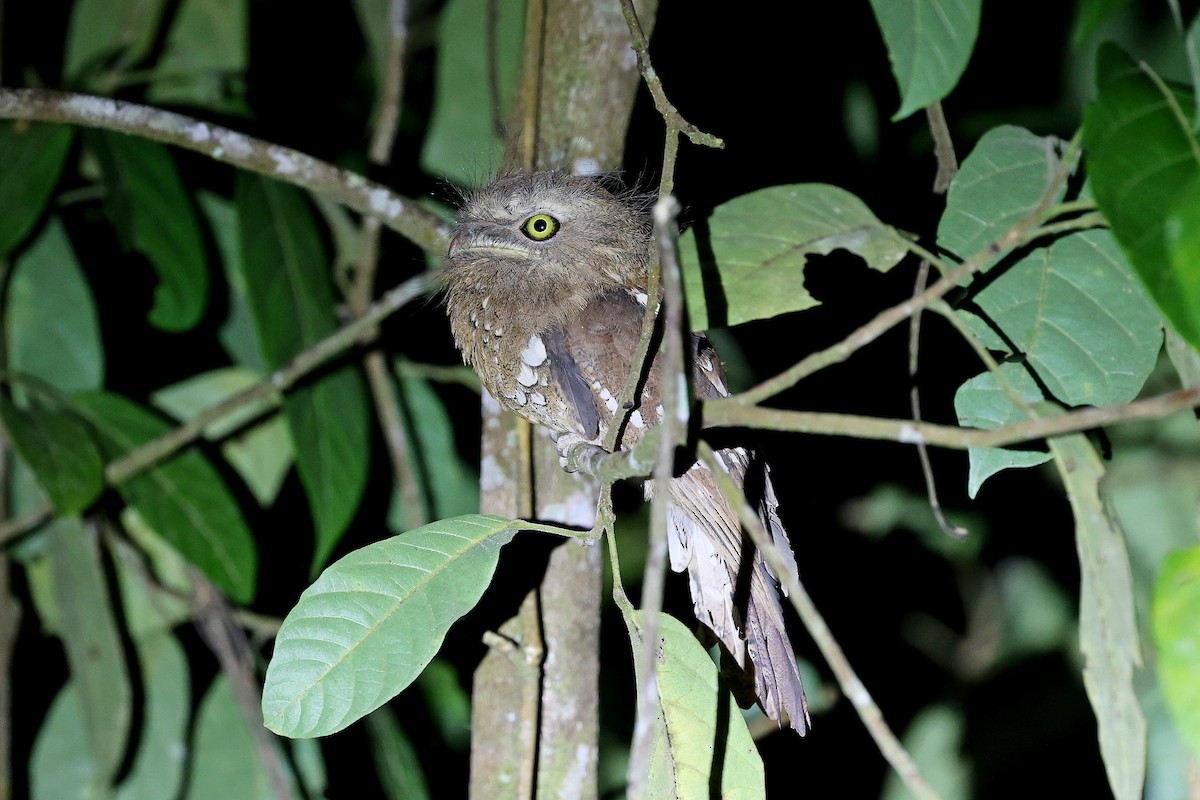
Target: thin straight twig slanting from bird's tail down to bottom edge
{"type": "Point", "coordinates": [865, 705]}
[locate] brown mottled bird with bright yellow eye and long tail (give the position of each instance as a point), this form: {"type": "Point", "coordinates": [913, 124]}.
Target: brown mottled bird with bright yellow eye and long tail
{"type": "Point", "coordinates": [547, 288]}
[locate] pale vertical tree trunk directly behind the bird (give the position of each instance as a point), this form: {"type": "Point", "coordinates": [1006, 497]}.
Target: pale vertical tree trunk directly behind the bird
{"type": "Point", "coordinates": [579, 87]}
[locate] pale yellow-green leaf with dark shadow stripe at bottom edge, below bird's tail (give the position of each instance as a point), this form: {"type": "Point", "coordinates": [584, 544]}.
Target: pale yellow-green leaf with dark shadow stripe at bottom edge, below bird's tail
{"type": "Point", "coordinates": [694, 711]}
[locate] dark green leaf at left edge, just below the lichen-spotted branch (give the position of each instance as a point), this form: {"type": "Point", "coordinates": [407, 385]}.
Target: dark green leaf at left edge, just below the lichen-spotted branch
{"type": "Point", "coordinates": [34, 154]}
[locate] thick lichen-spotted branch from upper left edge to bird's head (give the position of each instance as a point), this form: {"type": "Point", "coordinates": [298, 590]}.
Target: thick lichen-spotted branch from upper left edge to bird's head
{"type": "Point", "coordinates": [400, 214]}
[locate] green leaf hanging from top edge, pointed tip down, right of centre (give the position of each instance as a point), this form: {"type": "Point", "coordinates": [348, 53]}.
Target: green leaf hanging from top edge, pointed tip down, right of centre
{"type": "Point", "coordinates": [929, 44]}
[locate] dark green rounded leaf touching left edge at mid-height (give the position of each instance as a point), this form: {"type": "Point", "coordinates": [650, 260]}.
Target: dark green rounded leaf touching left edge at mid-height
{"type": "Point", "coordinates": [61, 452]}
